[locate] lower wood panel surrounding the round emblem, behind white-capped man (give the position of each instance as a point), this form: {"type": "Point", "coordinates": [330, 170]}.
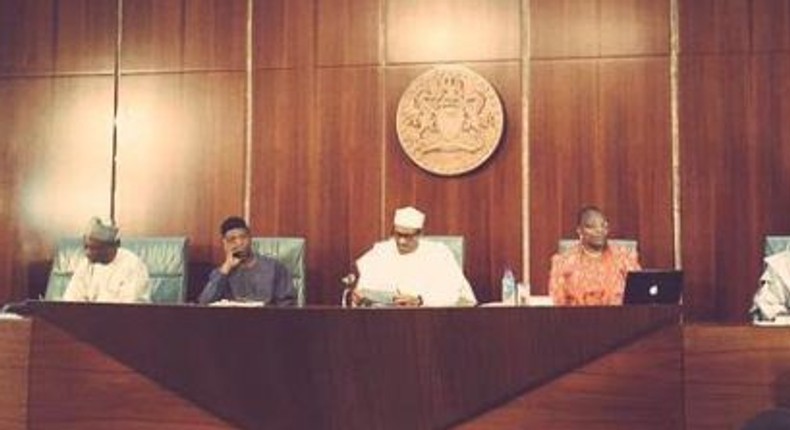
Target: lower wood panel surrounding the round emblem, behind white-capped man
{"type": "Point", "coordinates": [484, 205]}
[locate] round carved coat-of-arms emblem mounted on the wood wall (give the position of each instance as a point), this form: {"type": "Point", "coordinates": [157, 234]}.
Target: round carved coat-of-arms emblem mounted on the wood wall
{"type": "Point", "coordinates": [449, 120]}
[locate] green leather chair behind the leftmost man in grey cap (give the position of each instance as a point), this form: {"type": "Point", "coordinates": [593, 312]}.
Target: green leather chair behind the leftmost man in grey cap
{"type": "Point", "coordinates": [165, 257]}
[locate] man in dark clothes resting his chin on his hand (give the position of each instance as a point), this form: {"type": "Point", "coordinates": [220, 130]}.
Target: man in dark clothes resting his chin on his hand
{"type": "Point", "coordinates": [245, 276]}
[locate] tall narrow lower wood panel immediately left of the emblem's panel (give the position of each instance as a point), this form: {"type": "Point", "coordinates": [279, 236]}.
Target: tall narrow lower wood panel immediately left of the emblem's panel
{"type": "Point", "coordinates": [345, 169]}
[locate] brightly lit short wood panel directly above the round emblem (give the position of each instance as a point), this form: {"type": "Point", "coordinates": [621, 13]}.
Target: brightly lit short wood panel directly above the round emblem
{"type": "Point", "coordinates": [440, 30]}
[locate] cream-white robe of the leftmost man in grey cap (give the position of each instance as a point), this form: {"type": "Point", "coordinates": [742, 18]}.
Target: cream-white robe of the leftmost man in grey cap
{"type": "Point", "coordinates": [123, 280]}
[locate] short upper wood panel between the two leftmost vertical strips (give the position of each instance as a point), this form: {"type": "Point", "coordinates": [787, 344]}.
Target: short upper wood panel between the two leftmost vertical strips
{"type": "Point", "coordinates": [184, 35]}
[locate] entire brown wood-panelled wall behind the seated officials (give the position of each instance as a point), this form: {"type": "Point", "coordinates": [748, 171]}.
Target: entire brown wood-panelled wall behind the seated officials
{"type": "Point", "coordinates": [314, 153]}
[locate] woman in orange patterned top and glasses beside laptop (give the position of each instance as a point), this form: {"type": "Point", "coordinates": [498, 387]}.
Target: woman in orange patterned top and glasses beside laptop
{"type": "Point", "coordinates": [592, 272]}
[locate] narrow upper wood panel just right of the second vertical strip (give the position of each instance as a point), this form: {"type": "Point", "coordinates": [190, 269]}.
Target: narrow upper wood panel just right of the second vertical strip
{"type": "Point", "coordinates": [284, 33]}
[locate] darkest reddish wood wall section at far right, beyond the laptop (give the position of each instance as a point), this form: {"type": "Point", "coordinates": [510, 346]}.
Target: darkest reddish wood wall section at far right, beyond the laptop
{"type": "Point", "coordinates": [734, 137]}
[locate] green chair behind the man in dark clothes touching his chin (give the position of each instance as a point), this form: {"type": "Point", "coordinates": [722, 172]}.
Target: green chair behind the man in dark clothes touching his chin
{"type": "Point", "coordinates": [290, 252]}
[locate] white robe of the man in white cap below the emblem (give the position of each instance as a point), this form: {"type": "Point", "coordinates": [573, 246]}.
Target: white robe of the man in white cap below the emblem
{"type": "Point", "coordinates": [430, 272]}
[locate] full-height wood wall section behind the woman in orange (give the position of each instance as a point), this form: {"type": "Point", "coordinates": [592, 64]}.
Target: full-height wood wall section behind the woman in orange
{"type": "Point", "coordinates": [600, 125]}
